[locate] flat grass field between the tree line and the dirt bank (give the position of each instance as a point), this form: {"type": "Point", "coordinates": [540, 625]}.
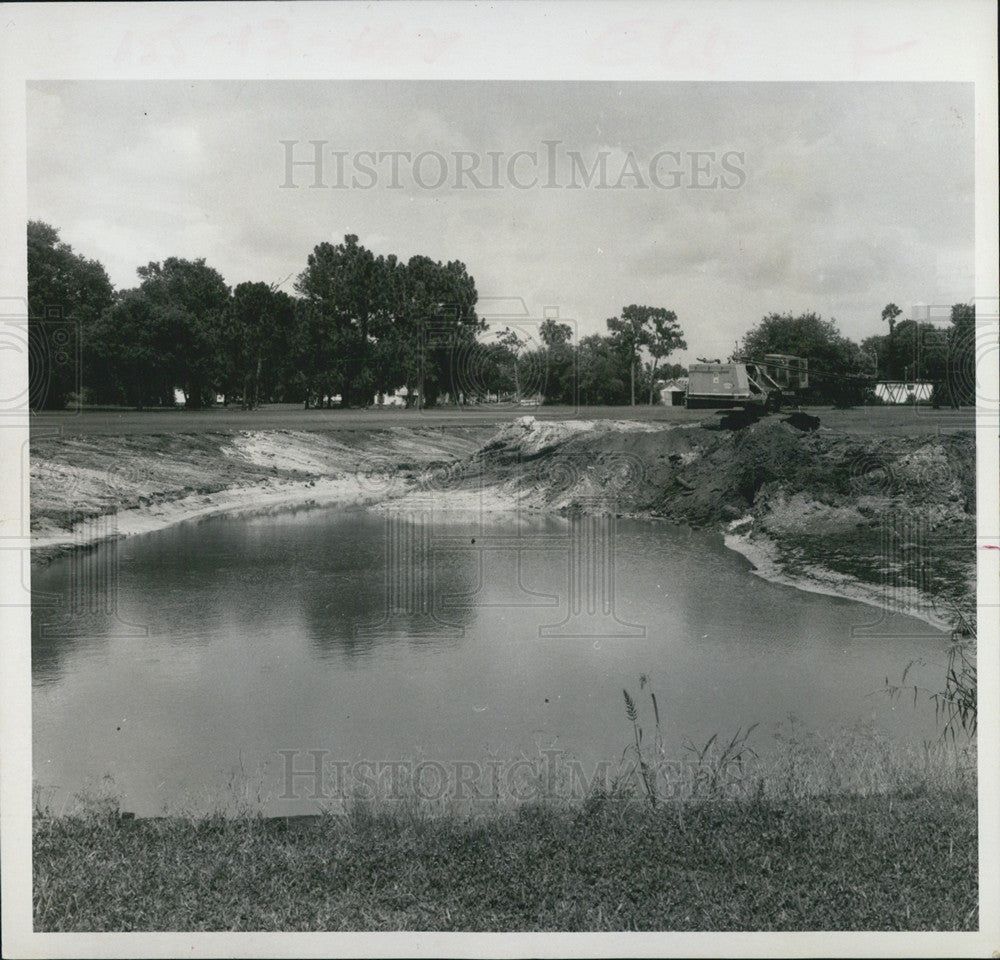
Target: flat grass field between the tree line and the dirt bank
{"type": "Point", "coordinates": [886, 421]}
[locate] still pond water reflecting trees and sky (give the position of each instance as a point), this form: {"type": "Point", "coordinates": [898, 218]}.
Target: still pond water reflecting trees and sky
{"type": "Point", "coordinates": [173, 668]}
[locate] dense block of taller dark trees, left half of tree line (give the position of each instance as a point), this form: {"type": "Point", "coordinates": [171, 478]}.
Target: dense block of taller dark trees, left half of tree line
{"type": "Point", "coordinates": [352, 331]}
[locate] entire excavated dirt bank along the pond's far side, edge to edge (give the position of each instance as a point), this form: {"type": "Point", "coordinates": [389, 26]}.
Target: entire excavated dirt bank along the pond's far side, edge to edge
{"type": "Point", "coordinates": [887, 519]}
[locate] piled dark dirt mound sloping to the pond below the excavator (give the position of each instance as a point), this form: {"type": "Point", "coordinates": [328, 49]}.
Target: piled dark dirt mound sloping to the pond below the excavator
{"type": "Point", "coordinates": [868, 508]}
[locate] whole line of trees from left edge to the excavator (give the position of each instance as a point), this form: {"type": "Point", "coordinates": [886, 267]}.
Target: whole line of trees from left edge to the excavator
{"type": "Point", "coordinates": [359, 328]}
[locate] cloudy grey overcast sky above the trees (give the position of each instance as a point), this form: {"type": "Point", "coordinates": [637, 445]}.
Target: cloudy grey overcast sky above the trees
{"type": "Point", "coordinates": [834, 197]}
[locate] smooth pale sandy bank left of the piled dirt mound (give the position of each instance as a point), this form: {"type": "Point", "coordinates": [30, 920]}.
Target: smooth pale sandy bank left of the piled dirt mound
{"type": "Point", "coordinates": [152, 481]}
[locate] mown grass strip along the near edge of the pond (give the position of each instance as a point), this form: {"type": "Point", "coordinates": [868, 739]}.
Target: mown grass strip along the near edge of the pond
{"type": "Point", "coordinates": [903, 861]}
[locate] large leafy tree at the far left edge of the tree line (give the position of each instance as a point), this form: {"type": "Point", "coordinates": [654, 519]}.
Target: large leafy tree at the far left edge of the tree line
{"type": "Point", "coordinates": [60, 282]}
